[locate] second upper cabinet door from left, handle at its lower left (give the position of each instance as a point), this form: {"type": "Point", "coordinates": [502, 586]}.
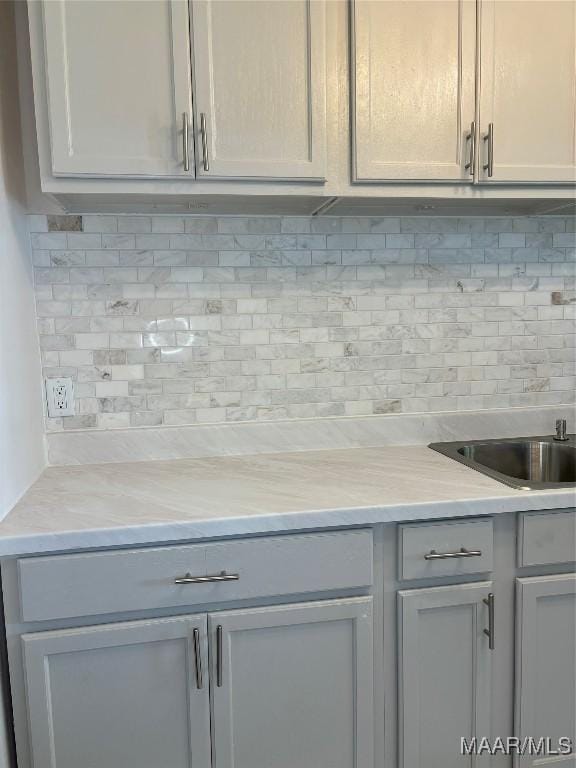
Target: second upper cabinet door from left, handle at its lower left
{"type": "Point", "coordinates": [260, 88]}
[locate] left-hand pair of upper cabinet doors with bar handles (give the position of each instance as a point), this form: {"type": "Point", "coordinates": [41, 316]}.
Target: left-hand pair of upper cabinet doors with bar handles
{"type": "Point", "coordinates": [119, 91]}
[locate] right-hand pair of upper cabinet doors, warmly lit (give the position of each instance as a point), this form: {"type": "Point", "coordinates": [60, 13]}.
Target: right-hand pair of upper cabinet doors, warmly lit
{"type": "Point", "coordinates": [416, 70]}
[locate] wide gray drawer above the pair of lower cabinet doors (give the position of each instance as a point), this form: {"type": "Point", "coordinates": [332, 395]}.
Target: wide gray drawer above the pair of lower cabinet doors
{"type": "Point", "coordinates": [65, 586]}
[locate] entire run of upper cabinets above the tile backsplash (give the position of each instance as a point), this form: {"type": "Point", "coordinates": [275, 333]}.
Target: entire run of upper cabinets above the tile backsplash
{"type": "Point", "coordinates": [472, 98]}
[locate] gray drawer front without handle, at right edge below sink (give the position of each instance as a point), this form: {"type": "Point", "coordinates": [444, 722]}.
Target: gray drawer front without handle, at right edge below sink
{"type": "Point", "coordinates": [546, 537]}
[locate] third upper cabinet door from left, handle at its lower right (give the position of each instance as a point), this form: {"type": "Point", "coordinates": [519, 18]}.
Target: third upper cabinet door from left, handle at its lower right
{"type": "Point", "coordinates": [413, 84]}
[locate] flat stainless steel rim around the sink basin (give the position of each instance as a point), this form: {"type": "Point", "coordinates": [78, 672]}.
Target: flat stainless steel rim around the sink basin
{"type": "Point", "coordinates": [451, 450]}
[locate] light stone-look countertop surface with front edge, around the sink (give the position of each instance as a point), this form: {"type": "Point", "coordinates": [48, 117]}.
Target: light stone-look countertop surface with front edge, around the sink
{"type": "Point", "coordinates": [139, 503]}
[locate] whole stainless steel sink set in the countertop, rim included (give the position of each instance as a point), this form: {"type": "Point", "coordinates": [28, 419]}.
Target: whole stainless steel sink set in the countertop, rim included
{"type": "Point", "coordinates": [529, 463]}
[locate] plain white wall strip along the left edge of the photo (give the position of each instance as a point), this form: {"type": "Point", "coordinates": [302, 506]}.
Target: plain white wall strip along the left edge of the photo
{"type": "Point", "coordinates": [21, 433]}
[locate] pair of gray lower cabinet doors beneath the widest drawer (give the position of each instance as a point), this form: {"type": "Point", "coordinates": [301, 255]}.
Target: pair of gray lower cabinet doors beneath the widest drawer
{"type": "Point", "coordinates": [286, 686]}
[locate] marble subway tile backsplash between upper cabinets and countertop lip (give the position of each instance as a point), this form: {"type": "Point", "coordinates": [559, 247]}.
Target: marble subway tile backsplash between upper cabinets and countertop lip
{"type": "Point", "coordinates": [170, 320]}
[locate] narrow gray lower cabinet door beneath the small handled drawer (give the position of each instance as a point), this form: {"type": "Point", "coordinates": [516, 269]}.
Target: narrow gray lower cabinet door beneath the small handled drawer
{"type": "Point", "coordinates": [444, 675]}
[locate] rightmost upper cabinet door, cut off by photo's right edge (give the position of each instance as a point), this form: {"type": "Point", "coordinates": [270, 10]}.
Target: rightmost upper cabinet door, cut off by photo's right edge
{"type": "Point", "coordinates": [528, 90]}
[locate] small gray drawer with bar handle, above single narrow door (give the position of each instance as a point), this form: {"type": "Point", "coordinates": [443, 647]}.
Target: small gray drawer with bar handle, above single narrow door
{"type": "Point", "coordinates": [427, 550]}
